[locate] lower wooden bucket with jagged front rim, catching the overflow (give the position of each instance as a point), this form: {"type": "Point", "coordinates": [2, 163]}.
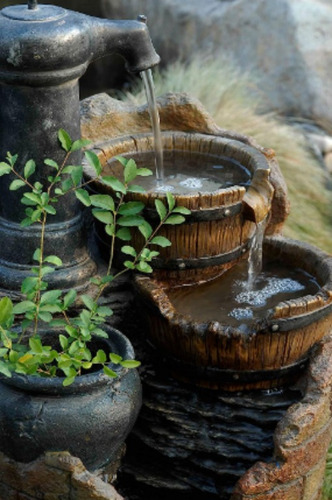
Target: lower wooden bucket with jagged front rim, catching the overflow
{"type": "Point", "coordinates": [216, 356]}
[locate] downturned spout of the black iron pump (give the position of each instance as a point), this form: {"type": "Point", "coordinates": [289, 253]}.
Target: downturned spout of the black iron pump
{"type": "Point", "coordinates": [130, 39]}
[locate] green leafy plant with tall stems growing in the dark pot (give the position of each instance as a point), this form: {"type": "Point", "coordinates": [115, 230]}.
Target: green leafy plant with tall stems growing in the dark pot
{"type": "Point", "coordinates": [22, 349]}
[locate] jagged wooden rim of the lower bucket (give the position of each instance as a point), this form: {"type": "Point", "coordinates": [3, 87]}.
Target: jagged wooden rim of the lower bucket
{"type": "Point", "coordinates": [287, 315]}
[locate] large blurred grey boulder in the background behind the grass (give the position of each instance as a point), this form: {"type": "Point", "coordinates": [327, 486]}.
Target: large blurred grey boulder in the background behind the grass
{"type": "Point", "coordinates": [287, 44]}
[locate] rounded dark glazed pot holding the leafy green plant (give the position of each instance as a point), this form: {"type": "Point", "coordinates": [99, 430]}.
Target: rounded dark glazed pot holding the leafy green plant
{"type": "Point", "coordinates": [90, 418]}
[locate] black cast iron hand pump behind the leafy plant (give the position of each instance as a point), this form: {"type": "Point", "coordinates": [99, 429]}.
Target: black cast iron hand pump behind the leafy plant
{"type": "Point", "coordinates": [44, 50]}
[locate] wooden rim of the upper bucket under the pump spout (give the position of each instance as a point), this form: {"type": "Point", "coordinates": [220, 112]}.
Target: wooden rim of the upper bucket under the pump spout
{"type": "Point", "coordinates": [246, 155]}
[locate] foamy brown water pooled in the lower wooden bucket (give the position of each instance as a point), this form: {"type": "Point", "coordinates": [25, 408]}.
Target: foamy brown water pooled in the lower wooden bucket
{"type": "Point", "coordinates": [231, 301]}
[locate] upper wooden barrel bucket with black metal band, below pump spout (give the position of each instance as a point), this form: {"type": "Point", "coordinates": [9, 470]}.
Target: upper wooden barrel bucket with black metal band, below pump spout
{"type": "Point", "coordinates": [219, 230]}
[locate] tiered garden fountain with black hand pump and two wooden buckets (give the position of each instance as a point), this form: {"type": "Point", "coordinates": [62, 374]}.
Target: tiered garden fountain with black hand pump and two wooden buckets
{"type": "Point", "coordinates": [39, 92]}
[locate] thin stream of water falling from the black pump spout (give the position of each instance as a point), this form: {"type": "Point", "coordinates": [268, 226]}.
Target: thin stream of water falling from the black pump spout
{"type": "Point", "coordinates": [148, 82]}
